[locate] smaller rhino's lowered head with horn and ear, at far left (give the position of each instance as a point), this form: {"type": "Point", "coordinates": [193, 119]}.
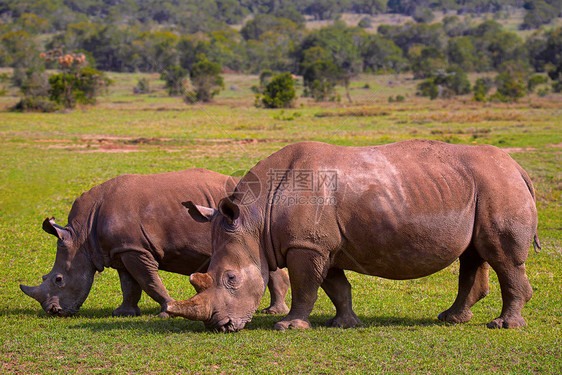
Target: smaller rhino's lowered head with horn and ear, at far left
{"type": "Point", "coordinates": [66, 287]}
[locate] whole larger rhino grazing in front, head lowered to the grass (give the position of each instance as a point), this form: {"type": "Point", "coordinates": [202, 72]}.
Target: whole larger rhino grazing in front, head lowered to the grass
{"type": "Point", "coordinates": [399, 211]}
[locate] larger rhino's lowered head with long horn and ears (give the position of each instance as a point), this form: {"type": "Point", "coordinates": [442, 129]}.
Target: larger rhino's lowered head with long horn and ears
{"type": "Point", "coordinates": [231, 290]}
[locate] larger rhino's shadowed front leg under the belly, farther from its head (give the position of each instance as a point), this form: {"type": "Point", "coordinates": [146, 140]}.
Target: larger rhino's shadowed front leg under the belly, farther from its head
{"type": "Point", "coordinates": [338, 289]}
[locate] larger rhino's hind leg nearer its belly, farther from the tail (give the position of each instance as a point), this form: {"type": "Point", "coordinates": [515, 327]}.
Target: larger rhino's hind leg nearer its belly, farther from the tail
{"type": "Point", "coordinates": [473, 286]}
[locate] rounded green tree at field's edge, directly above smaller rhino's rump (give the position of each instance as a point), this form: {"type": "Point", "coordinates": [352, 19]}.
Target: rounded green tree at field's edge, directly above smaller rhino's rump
{"type": "Point", "coordinates": [206, 81]}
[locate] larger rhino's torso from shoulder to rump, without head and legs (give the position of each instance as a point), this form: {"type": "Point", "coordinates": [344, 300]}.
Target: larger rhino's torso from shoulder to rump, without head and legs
{"type": "Point", "coordinates": [399, 211]}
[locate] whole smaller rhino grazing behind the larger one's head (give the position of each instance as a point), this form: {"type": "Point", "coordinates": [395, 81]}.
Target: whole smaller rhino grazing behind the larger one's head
{"type": "Point", "coordinates": [137, 225]}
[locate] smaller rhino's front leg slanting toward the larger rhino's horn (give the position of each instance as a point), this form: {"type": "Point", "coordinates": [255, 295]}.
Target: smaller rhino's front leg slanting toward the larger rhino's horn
{"type": "Point", "coordinates": [144, 269]}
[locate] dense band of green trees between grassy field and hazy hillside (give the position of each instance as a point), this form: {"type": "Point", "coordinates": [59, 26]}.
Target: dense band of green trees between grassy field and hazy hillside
{"type": "Point", "coordinates": [278, 44]}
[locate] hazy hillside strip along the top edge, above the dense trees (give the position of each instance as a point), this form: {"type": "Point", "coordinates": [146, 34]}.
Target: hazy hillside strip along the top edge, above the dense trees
{"type": "Point", "coordinates": [189, 16]}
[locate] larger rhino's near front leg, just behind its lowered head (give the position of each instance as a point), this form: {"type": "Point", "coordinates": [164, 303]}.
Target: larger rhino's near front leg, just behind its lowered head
{"type": "Point", "coordinates": [307, 269]}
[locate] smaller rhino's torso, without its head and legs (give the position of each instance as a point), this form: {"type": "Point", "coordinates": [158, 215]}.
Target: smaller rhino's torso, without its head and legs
{"type": "Point", "coordinates": [144, 213]}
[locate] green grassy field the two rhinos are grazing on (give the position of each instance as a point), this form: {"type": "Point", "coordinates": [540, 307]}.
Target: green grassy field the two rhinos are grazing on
{"type": "Point", "coordinates": [50, 159]}
